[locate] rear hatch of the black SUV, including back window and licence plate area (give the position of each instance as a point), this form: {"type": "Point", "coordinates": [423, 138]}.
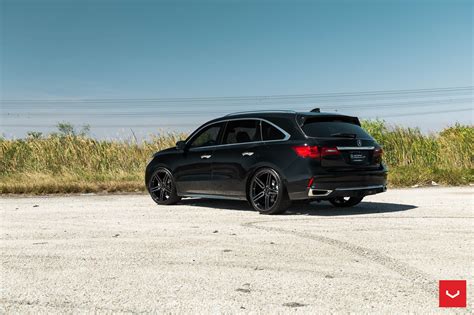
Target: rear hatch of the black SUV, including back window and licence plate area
{"type": "Point", "coordinates": [342, 143]}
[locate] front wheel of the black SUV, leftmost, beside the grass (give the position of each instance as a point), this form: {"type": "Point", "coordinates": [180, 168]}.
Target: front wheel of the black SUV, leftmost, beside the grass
{"type": "Point", "coordinates": [162, 187]}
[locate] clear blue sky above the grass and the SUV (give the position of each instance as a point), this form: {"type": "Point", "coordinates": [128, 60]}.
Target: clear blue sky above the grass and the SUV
{"type": "Point", "coordinates": [128, 51]}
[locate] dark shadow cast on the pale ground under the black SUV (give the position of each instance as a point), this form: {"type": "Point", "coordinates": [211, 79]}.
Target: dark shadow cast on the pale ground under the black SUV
{"type": "Point", "coordinates": [299, 208]}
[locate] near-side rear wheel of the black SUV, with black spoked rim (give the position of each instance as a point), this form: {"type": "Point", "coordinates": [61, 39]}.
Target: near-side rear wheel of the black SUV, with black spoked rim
{"type": "Point", "coordinates": [266, 192]}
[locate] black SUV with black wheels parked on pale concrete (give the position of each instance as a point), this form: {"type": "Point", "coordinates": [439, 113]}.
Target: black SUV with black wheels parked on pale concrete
{"type": "Point", "coordinates": [270, 158]}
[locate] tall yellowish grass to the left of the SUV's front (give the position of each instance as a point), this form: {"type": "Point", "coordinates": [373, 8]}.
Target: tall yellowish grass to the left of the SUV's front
{"type": "Point", "coordinates": [75, 163]}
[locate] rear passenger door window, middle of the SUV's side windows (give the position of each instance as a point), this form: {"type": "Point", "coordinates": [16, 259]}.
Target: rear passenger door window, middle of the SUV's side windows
{"type": "Point", "coordinates": [241, 131]}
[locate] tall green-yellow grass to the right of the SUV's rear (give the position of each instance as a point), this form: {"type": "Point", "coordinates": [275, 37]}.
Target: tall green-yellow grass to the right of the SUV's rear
{"type": "Point", "coordinates": [415, 158]}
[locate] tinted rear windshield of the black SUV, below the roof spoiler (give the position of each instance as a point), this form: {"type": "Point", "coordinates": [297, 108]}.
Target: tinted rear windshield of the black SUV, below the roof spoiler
{"type": "Point", "coordinates": [333, 128]}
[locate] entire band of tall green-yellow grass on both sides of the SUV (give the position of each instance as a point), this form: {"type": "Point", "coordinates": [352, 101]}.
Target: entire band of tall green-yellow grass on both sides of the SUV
{"type": "Point", "coordinates": [67, 162]}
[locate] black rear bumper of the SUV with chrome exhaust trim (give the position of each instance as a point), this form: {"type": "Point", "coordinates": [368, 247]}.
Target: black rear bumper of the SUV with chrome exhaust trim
{"type": "Point", "coordinates": [344, 184]}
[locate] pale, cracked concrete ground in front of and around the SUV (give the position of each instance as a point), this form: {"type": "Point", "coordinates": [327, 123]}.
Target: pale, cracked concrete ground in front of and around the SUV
{"type": "Point", "coordinates": [123, 253]}
